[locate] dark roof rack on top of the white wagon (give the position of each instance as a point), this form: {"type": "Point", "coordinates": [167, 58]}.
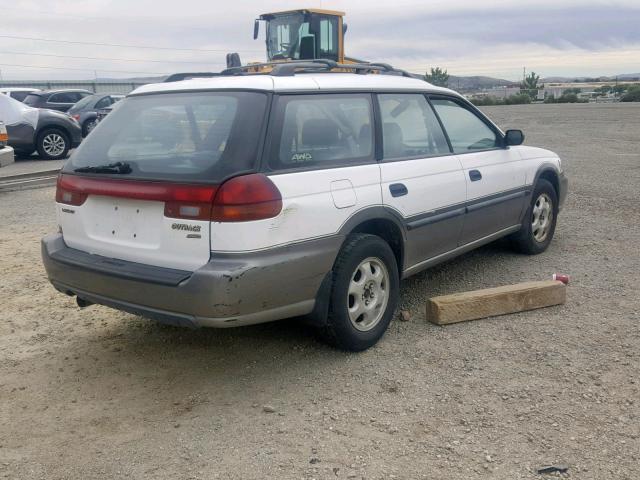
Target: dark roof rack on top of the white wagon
{"type": "Point", "coordinates": [288, 69]}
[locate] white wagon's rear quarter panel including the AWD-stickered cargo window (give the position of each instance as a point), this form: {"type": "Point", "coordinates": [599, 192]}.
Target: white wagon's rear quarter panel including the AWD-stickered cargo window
{"type": "Point", "coordinates": [320, 155]}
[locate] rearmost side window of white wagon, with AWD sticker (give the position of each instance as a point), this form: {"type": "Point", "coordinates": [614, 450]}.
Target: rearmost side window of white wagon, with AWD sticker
{"type": "Point", "coordinates": [322, 130]}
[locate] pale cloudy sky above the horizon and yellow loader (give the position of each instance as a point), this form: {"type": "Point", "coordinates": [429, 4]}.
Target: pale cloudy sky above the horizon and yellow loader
{"type": "Point", "coordinates": [490, 37]}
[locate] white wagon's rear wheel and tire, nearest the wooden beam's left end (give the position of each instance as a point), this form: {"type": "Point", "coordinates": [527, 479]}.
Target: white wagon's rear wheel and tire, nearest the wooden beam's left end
{"type": "Point", "coordinates": [364, 293]}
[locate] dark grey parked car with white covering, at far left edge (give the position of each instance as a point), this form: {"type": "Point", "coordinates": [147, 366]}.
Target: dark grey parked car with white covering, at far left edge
{"type": "Point", "coordinates": [51, 133]}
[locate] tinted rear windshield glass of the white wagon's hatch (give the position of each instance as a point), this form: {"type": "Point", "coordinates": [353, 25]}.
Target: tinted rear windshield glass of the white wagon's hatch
{"type": "Point", "coordinates": [181, 136]}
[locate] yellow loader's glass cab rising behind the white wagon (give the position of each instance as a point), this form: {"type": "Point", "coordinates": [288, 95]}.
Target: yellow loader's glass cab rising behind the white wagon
{"type": "Point", "coordinates": [303, 35]}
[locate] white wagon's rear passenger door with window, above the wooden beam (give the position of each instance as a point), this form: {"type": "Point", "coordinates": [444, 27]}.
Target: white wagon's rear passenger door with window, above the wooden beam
{"type": "Point", "coordinates": [421, 180]}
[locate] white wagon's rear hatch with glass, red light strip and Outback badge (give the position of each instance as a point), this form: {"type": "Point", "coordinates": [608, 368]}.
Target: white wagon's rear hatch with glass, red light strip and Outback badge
{"type": "Point", "coordinates": [141, 188]}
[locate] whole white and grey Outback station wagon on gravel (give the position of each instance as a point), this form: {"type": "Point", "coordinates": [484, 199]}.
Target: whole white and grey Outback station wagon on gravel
{"type": "Point", "coordinates": [244, 198]}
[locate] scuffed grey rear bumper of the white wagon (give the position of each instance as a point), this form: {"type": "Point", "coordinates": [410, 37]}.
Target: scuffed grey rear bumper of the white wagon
{"type": "Point", "coordinates": [230, 290]}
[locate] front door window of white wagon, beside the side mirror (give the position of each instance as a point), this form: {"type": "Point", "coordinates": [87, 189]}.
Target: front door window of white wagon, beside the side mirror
{"type": "Point", "coordinates": [467, 132]}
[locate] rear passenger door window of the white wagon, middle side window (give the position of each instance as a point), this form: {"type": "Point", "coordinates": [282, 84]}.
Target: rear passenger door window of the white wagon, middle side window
{"type": "Point", "coordinates": [409, 127]}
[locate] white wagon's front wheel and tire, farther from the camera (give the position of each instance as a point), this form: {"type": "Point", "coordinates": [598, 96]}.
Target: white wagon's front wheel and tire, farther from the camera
{"type": "Point", "coordinates": [539, 222]}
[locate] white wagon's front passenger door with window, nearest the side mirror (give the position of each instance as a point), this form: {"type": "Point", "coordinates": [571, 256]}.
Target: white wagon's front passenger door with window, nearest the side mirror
{"type": "Point", "coordinates": [493, 174]}
